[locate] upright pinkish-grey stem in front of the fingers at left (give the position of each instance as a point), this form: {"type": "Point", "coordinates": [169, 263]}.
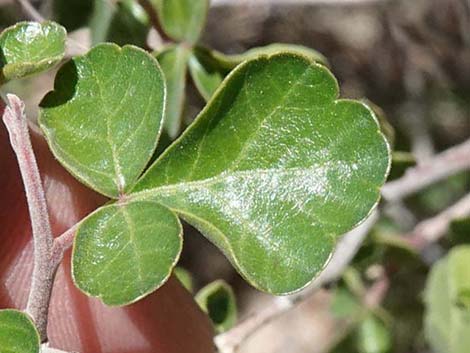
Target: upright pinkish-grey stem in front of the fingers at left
{"type": "Point", "coordinates": [43, 273]}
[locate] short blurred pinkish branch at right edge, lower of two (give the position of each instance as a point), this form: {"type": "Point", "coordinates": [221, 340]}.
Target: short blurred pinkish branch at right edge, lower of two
{"type": "Point", "coordinates": [432, 229]}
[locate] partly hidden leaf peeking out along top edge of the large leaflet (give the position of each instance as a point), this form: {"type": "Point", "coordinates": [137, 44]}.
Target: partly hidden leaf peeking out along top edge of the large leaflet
{"type": "Point", "coordinates": [209, 67]}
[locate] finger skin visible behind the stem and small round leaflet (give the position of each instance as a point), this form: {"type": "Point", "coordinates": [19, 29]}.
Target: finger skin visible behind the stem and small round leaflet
{"type": "Point", "coordinates": [167, 321]}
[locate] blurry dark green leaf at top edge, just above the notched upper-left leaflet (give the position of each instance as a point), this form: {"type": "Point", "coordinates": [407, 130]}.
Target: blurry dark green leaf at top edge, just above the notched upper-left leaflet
{"type": "Point", "coordinates": [123, 22]}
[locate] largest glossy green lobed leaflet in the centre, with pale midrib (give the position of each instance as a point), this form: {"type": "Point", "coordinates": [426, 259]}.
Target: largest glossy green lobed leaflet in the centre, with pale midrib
{"type": "Point", "coordinates": [274, 169]}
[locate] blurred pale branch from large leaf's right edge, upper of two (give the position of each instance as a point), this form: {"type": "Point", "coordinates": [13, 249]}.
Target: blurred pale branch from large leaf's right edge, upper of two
{"type": "Point", "coordinates": [443, 165]}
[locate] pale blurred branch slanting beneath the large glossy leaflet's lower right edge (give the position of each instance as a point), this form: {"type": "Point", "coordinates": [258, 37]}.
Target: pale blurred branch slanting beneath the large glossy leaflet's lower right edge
{"type": "Point", "coordinates": [229, 341]}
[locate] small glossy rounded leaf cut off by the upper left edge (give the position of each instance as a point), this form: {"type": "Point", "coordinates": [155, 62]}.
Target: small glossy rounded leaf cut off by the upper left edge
{"type": "Point", "coordinates": [29, 47]}
